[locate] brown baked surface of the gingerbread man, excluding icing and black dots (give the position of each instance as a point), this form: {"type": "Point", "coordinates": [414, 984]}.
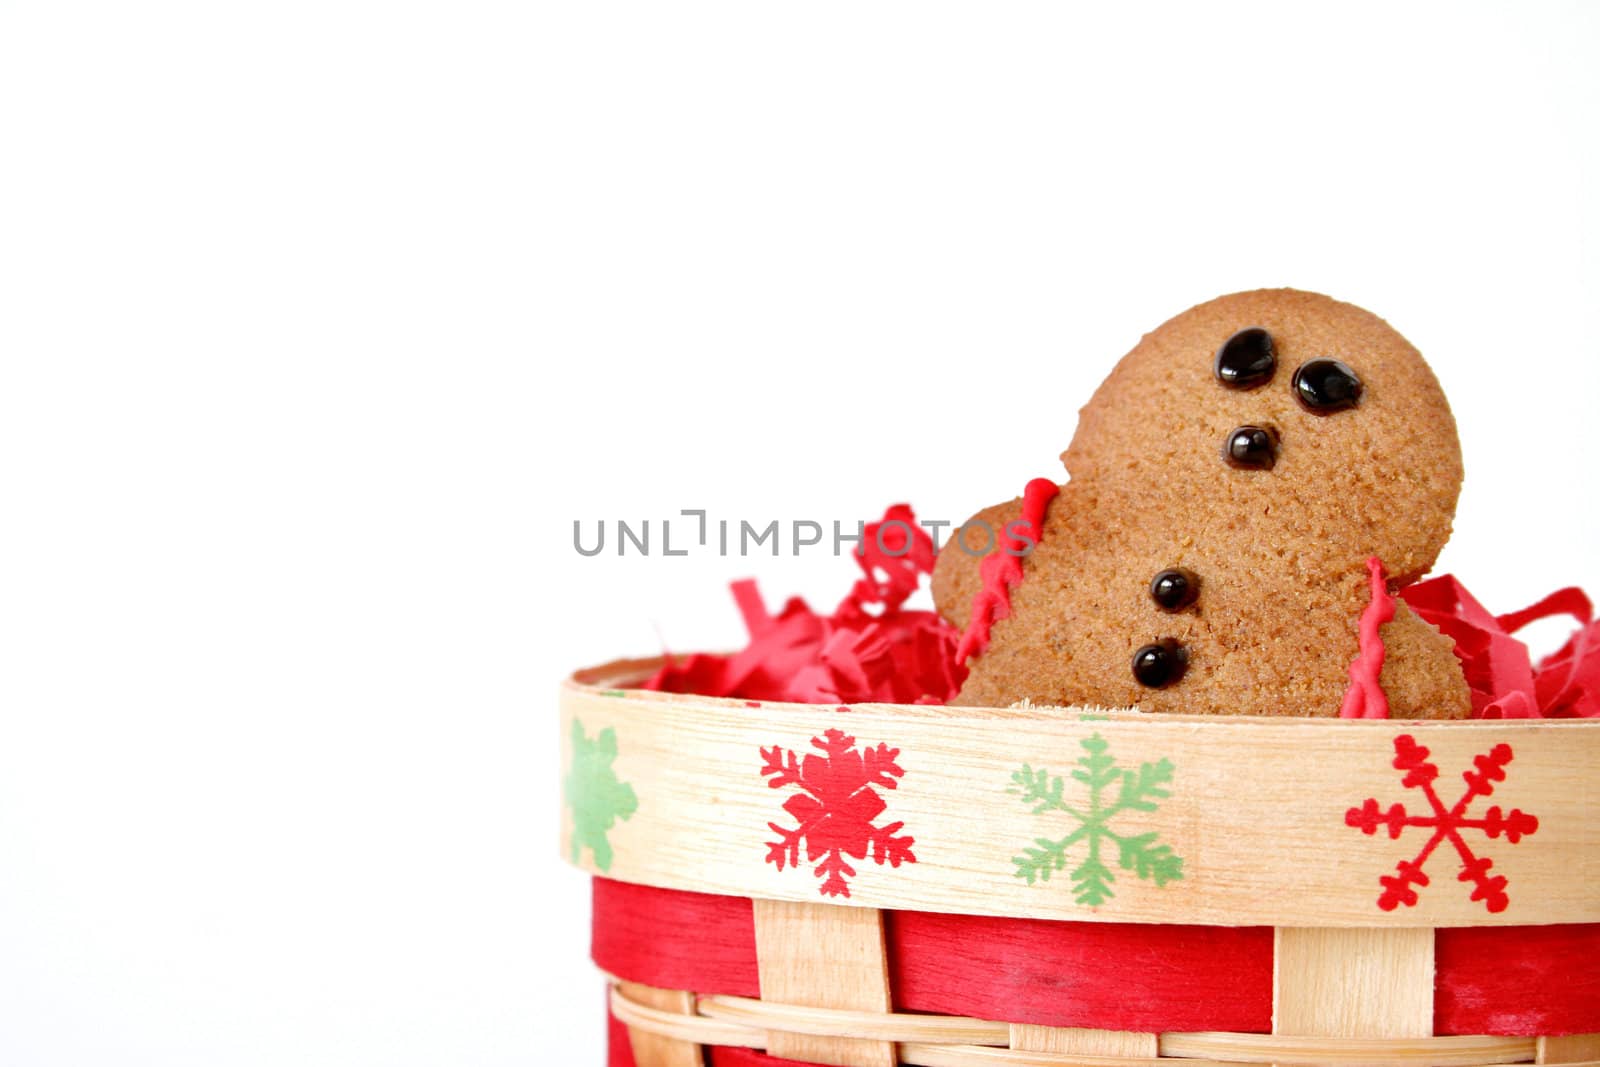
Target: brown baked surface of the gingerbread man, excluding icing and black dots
{"type": "Point", "coordinates": [1279, 553]}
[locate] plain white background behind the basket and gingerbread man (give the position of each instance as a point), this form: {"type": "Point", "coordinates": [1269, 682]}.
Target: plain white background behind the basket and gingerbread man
{"type": "Point", "coordinates": [322, 322]}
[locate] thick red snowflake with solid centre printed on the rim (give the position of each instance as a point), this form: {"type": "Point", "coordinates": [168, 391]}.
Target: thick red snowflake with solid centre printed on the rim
{"type": "Point", "coordinates": [834, 807]}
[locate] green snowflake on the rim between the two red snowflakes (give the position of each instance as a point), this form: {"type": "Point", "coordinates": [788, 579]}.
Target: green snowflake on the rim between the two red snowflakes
{"type": "Point", "coordinates": [1111, 791]}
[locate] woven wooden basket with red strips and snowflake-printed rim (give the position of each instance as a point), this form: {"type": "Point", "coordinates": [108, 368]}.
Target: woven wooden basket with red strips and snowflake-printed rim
{"type": "Point", "coordinates": [972, 887]}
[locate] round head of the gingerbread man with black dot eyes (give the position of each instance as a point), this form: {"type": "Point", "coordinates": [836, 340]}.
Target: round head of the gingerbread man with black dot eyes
{"type": "Point", "coordinates": [1284, 412]}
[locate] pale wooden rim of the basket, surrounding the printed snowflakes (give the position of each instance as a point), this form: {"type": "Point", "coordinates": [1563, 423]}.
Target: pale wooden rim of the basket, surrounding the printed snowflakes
{"type": "Point", "coordinates": [703, 823]}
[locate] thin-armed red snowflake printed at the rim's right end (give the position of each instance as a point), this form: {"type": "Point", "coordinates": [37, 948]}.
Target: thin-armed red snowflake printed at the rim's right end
{"type": "Point", "coordinates": [1446, 825]}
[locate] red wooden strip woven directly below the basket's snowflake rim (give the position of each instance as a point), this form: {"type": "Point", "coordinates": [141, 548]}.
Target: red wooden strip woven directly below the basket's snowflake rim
{"type": "Point", "coordinates": [1100, 975]}
